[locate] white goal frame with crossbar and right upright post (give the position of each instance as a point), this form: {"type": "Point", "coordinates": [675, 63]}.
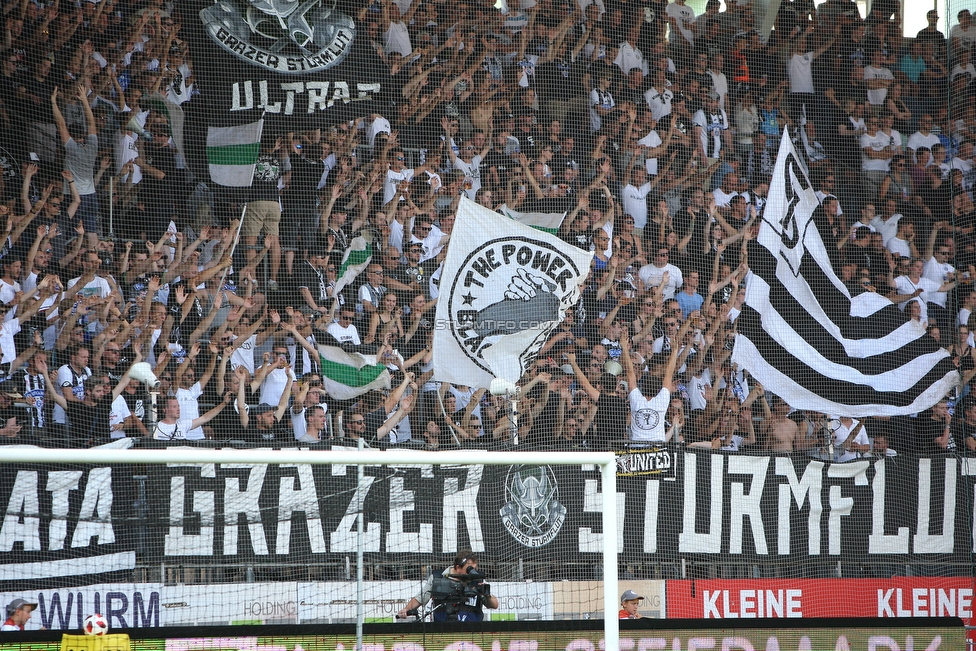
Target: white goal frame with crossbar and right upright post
{"type": "Point", "coordinates": [605, 461]}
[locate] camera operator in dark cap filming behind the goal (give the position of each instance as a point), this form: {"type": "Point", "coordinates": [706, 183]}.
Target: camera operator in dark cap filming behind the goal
{"type": "Point", "coordinates": [459, 593]}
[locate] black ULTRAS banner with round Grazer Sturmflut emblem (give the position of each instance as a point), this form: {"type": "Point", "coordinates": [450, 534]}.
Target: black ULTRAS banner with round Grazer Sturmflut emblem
{"type": "Point", "coordinates": [293, 63]}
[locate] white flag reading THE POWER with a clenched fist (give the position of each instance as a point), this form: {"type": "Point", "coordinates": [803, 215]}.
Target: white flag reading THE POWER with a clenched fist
{"type": "Point", "coordinates": [504, 287]}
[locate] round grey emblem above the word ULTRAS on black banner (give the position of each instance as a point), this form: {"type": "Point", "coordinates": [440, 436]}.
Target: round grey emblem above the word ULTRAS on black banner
{"type": "Point", "coordinates": [283, 36]}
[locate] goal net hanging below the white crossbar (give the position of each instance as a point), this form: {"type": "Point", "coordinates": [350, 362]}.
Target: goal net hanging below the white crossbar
{"type": "Point", "coordinates": [194, 536]}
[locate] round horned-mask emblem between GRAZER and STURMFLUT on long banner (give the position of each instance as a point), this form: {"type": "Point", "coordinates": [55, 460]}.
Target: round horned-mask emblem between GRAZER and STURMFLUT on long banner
{"type": "Point", "coordinates": [533, 515]}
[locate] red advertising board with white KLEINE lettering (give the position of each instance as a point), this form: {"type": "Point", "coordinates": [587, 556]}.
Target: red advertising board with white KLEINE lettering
{"type": "Point", "coordinates": [798, 598]}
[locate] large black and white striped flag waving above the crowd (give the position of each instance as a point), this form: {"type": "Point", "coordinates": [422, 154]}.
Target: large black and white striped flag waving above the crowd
{"type": "Point", "coordinates": [804, 337]}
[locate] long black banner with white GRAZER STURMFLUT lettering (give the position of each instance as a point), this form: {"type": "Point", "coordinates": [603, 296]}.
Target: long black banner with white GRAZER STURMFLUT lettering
{"type": "Point", "coordinates": [71, 525]}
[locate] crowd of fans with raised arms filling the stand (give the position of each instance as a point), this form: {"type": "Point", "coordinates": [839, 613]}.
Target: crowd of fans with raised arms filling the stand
{"type": "Point", "coordinates": [653, 129]}
